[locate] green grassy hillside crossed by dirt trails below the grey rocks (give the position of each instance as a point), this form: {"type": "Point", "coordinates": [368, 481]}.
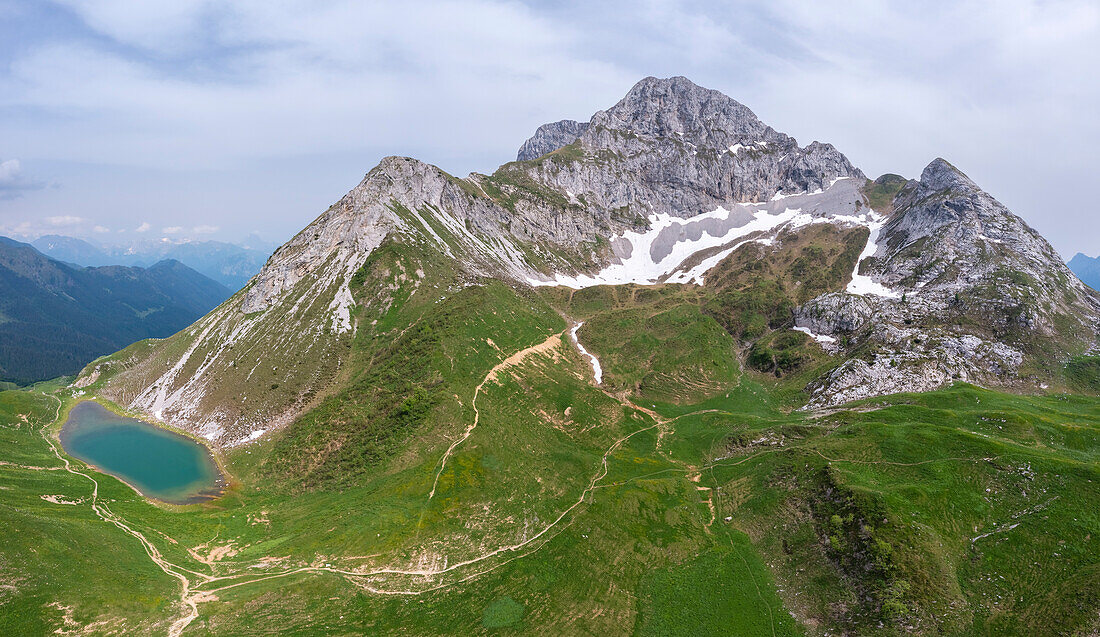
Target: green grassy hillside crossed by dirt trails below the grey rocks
{"type": "Point", "coordinates": [470, 478]}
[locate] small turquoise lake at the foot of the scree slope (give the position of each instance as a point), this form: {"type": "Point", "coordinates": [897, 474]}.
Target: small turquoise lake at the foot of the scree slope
{"type": "Point", "coordinates": [161, 465]}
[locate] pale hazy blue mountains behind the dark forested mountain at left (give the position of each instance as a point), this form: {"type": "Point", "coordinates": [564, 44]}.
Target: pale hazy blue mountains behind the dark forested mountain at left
{"type": "Point", "coordinates": [229, 265]}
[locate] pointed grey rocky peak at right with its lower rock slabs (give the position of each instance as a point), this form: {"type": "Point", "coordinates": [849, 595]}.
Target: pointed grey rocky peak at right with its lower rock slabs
{"type": "Point", "coordinates": [973, 288]}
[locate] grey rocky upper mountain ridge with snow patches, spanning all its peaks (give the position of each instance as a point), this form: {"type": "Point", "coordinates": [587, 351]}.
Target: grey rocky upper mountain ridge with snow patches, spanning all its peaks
{"type": "Point", "coordinates": [667, 186]}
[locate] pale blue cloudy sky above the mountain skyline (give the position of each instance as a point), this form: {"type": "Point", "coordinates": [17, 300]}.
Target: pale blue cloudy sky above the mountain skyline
{"type": "Point", "coordinates": [190, 118]}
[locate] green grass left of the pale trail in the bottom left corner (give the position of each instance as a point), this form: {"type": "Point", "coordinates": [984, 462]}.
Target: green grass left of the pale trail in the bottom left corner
{"type": "Point", "coordinates": [60, 557]}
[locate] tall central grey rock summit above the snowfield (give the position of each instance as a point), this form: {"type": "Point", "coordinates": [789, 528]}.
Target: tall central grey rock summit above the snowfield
{"type": "Point", "coordinates": [674, 148]}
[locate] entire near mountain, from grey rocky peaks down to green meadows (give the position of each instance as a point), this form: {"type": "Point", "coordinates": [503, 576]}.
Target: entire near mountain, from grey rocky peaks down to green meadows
{"type": "Point", "coordinates": [670, 372]}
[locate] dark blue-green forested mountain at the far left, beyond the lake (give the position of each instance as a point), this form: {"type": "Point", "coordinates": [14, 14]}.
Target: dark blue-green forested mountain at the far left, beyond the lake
{"type": "Point", "coordinates": [56, 317]}
